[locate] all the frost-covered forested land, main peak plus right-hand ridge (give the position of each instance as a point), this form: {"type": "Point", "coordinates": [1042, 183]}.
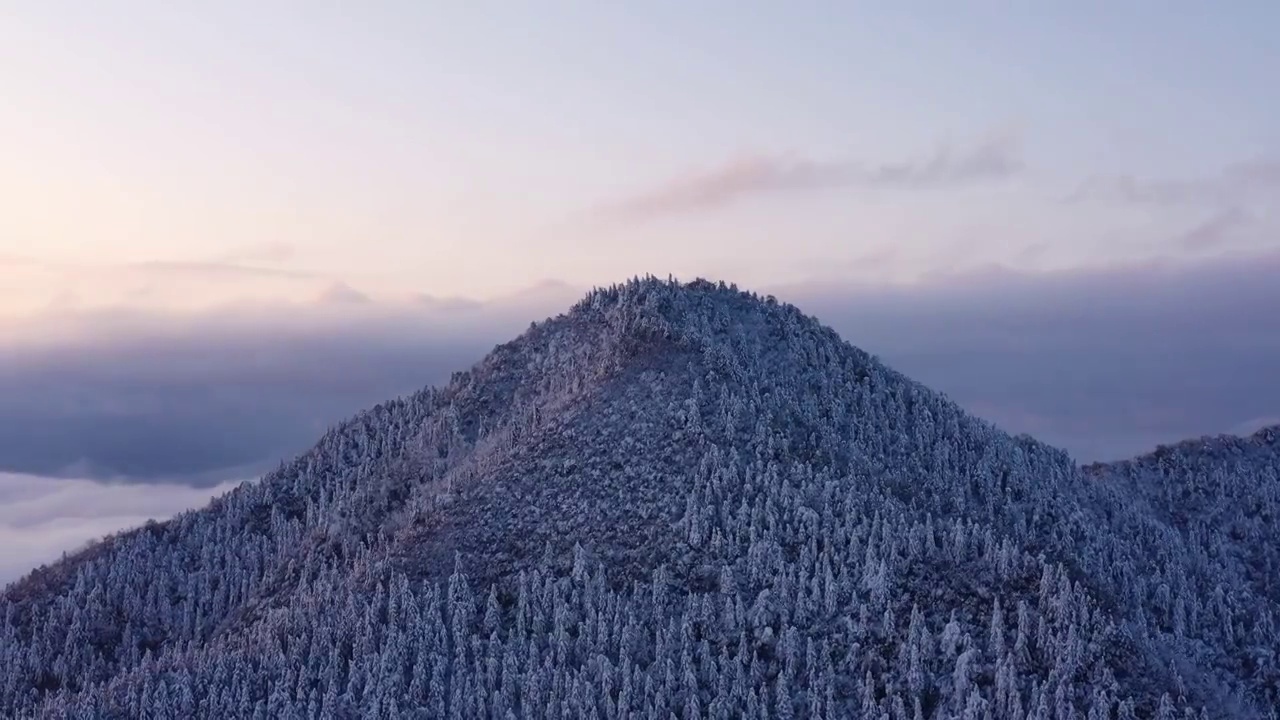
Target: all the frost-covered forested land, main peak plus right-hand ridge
{"type": "Point", "coordinates": [676, 500]}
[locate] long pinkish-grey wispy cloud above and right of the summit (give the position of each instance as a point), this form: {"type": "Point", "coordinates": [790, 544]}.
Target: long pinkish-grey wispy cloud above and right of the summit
{"type": "Point", "coordinates": [996, 158]}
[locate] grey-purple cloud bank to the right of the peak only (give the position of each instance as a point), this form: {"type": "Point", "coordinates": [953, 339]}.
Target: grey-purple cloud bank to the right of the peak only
{"type": "Point", "coordinates": [1107, 363]}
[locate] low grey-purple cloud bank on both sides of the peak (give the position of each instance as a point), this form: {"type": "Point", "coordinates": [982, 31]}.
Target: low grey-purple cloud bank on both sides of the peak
{"type": "Point", "coordinates": [120, 418]}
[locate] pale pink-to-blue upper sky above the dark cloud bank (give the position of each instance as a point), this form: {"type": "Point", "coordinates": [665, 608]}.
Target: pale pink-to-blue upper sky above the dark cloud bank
{"type": "Point", "coordinates": [177, 156]}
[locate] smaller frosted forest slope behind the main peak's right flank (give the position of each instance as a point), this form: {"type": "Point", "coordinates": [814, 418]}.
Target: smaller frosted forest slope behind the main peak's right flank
{"type": "Point", "coordinates": [1218, 504]}
